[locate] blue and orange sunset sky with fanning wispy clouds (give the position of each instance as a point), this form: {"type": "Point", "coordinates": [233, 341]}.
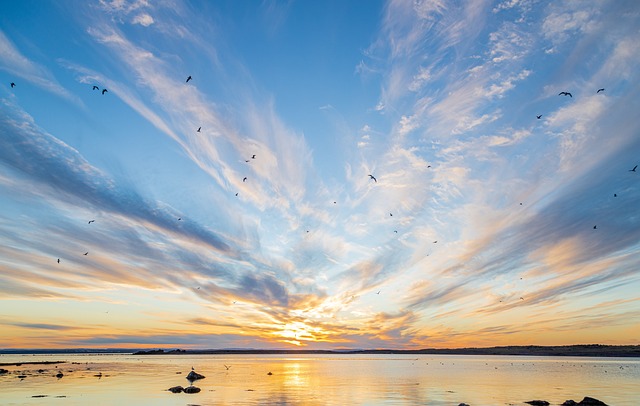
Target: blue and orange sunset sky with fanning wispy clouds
{"type": "Point", "coordinates": [335, 174]}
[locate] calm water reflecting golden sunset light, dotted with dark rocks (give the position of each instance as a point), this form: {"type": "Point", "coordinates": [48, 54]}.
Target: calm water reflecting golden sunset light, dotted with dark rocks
{"type": "Point", "coordinates": [319, 380]}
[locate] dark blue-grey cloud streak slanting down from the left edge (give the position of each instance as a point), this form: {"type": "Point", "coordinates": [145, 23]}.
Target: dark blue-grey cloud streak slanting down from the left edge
{"type": "Point", "coordinates": [48, 161]}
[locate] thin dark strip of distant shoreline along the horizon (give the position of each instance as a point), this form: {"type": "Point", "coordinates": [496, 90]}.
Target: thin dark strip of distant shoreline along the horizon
{"type": "Point", "coordinates": [589, 350]}
